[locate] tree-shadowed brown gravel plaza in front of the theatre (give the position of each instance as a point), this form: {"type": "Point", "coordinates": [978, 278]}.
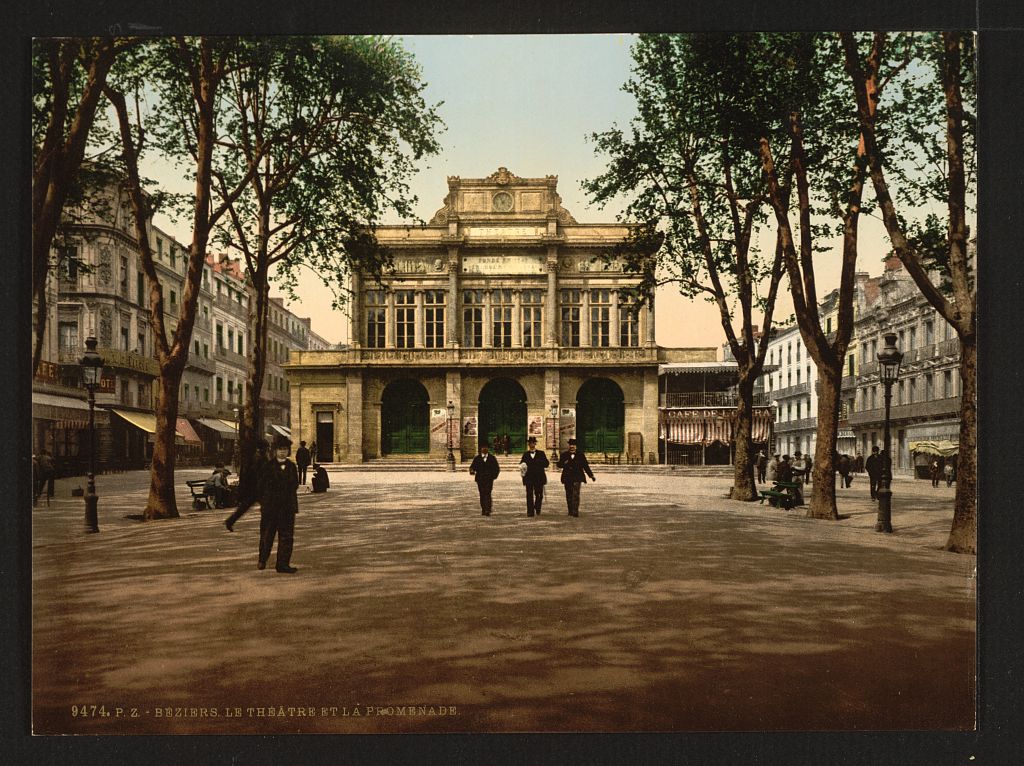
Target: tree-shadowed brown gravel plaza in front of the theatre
{"type": "Point", "coordinates": [664, 608]}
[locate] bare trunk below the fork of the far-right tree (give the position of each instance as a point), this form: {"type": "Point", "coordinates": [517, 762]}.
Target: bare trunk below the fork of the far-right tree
{"type": "Point", "coordinates": [964, 535]}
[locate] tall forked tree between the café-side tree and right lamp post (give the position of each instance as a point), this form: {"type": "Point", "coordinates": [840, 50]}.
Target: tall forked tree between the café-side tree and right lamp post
{"type": "Point", "coordinates": [826, 156]}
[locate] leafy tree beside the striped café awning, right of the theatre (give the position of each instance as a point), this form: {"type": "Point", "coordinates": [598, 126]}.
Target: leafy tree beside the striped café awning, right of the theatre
{"type": "Point", "coordinates": [696, 191]}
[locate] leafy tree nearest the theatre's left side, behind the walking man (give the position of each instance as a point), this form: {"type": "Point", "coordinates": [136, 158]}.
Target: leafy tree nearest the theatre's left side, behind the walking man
{"type": "Point", "coordinates": [327, 132]}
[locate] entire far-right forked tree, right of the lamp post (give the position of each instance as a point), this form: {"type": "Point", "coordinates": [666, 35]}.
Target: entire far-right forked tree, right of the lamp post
{"type": "Point", "coordinates": [922, 153]}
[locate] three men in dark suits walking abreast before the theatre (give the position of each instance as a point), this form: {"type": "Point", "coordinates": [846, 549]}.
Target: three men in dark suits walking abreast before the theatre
{"type": "Point", "coordinates": [533, 471]}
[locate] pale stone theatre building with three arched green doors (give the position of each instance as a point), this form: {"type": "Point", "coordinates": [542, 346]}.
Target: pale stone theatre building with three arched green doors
{"type": "Point", "coordinates": [499, 319]}
